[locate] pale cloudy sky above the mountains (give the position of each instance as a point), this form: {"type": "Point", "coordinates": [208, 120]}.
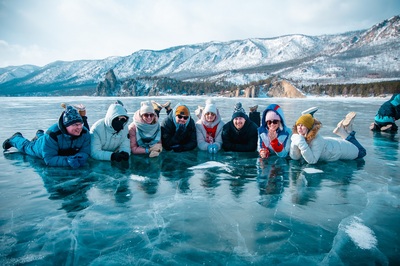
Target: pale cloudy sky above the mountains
{"type": "Point", "coordinates": [42, 31]}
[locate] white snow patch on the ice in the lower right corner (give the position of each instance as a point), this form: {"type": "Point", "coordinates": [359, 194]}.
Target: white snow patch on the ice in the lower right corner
{"type": "Point", "coordinates": [361, 235]}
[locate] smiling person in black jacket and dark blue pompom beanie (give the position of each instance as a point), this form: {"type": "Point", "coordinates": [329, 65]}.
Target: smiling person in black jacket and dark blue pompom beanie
{"type": "Point", "coordinates": [239, 134]}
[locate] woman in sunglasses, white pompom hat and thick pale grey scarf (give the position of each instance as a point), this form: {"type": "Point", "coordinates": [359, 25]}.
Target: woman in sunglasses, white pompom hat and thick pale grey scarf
{"type": "Point", "coordinates": [145, 131]}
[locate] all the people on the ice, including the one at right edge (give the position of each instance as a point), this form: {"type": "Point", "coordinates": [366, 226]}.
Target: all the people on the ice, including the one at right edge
{"type": "Point", "coordinates": [70, 142]}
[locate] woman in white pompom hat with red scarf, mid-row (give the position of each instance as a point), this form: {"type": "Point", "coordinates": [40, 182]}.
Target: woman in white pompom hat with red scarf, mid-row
{"type": "Point", "coordinates": [209, 128]}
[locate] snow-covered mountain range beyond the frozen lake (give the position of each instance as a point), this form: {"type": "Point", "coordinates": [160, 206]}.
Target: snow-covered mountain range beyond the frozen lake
{"type": "Point", "coordinates": [360, 56]}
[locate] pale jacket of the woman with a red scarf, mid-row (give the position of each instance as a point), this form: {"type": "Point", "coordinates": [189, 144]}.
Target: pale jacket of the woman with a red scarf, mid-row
{"type": "Point", "coordinates": [201, 132]}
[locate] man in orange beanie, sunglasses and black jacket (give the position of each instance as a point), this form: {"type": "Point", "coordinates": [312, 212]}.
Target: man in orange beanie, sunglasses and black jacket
{"type": "Point", "coordinates": [178, 130]}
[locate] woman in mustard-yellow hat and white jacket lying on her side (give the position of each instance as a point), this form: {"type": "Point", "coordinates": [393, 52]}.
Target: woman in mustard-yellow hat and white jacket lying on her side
{"type": "Point", "coordinates": [312, 147]}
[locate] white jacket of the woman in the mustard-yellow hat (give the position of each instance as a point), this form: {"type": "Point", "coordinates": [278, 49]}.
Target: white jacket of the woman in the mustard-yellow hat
{"type": "Point", "coordinates": [314, 148]}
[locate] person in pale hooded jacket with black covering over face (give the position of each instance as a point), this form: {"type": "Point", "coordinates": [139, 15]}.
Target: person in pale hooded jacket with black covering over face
{"type": "Point", "coordinates": [109, 135]}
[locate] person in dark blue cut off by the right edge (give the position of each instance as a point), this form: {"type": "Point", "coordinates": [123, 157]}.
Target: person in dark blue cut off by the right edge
{"type": "Point", "coordinates": [387, 114]}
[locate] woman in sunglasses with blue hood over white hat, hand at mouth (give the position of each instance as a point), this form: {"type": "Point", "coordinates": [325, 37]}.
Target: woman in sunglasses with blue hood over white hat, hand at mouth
{"type": "Point", "coordinates": [274, 135]}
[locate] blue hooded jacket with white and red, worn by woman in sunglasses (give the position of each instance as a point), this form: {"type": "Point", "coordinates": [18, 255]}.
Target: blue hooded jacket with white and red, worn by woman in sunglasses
{"type": "Point", "coordinates": [281, 144]}
